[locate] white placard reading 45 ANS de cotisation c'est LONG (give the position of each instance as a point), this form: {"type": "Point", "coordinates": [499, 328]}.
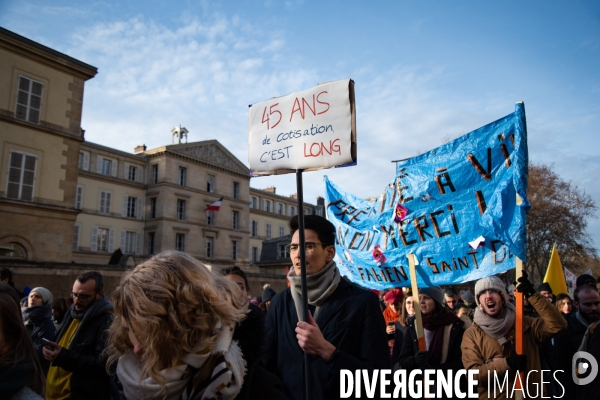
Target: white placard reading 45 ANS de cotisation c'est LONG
{"type": "Point", "coordinates": [309, 130]}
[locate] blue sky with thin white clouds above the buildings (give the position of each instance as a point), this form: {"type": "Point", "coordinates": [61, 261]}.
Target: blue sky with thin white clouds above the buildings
{"type": "Point", "coordinates": [424, 72]}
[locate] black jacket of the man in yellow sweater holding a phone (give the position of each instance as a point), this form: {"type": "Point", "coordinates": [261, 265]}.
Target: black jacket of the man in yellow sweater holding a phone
{"type": "Point", "coordinates": [84, 356]}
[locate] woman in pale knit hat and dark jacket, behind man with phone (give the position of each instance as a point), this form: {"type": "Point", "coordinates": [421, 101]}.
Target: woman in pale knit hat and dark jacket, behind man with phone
{"type": "Point", "coordinates": [37, 317]}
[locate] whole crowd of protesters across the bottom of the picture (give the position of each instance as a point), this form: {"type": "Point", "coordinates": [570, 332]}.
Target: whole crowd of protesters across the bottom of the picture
{"type": "Point", "coordinates": [173, 329]}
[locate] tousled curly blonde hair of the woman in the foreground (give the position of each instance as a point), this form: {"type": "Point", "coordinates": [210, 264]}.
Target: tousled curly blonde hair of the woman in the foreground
{"type": "Point", "coordinates": [171, 303]}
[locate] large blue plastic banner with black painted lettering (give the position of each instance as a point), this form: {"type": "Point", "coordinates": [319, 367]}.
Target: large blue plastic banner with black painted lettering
{"type": "Point", "coordinates": [460, 209]}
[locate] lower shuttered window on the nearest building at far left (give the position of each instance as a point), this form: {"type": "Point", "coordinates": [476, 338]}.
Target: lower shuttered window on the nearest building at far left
{"type": "Point", "coordinates": [21, 176]}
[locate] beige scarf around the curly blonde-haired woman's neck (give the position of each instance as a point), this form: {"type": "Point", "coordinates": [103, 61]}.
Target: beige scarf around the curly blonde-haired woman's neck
{"type": "Point", "coordinates": [191, 380]}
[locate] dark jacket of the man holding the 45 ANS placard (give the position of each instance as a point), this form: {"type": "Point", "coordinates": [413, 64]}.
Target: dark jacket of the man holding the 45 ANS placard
{"type": "Point", "coordinates": [350, 319]}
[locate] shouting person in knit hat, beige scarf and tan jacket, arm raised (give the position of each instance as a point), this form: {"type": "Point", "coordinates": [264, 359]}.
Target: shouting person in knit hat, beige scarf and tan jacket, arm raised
{"type": "Point", "coordinates": [488, 345]}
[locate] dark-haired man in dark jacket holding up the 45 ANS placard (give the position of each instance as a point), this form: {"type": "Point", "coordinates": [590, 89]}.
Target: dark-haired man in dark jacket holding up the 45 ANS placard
{"type": "Point", "coordinates": [345, 328]}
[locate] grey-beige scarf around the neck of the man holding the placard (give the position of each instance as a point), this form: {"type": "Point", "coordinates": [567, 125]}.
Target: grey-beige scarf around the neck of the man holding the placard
{"type": "Point", "coordinates": [319, 287]}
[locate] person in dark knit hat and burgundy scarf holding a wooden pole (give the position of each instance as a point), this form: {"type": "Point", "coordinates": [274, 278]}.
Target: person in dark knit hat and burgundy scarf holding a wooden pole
{"type": "Point", "coordinates": [443, 332]}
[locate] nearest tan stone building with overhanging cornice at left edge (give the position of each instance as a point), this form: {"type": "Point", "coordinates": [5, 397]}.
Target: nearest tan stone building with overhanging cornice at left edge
{"type": "Point", "coordinates": [41, 99]}
